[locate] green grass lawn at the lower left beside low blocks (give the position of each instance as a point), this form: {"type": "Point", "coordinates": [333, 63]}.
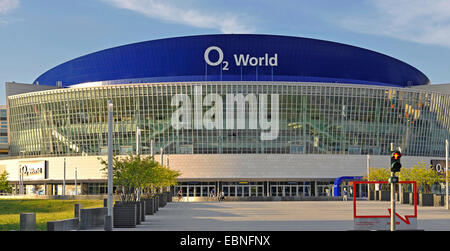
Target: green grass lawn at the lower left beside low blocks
{"type": "Point", "coordinates": [46, 210]}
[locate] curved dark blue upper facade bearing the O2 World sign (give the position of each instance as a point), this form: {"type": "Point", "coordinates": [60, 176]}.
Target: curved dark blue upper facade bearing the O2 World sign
{"type": "Point", "coordinates": [268, 58]}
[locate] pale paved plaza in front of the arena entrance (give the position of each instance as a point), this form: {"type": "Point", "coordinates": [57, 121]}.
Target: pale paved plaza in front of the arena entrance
{"type": "Point", "coordinates": [279, 216]}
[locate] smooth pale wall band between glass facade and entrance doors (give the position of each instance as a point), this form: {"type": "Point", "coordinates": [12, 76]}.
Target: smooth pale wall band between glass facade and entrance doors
{"type": "Point", "coordinates": [222, 166]}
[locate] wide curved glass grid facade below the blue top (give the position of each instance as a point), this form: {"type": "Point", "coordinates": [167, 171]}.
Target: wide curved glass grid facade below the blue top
{"type": "Point", "coordinates": [230, 118]}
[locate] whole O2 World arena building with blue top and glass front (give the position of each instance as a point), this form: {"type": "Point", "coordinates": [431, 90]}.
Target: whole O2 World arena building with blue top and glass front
{"type": "Point", "coordinates": [252, 115]}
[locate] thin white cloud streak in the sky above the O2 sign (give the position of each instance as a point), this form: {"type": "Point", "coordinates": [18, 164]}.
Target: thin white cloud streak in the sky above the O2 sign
{"type": "Point", "coordinates": [163, 10]}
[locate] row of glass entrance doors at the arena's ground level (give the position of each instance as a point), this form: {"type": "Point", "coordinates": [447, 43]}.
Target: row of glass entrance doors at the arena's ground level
{"type": "Point", "coordinates": [246, 190]}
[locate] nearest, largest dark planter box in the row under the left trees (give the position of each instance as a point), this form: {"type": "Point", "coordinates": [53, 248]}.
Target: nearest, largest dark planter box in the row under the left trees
{"type": "Point", "coordinates": [124, 215]}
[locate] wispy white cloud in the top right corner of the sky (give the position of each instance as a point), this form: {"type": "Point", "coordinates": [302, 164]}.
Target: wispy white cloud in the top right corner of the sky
{"type": "Point", "coordinates": [420, 21]}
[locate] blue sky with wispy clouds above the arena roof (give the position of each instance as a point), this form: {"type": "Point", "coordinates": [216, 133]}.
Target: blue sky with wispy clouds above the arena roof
{"type": "Point", "coordinates": [38, 35]}
